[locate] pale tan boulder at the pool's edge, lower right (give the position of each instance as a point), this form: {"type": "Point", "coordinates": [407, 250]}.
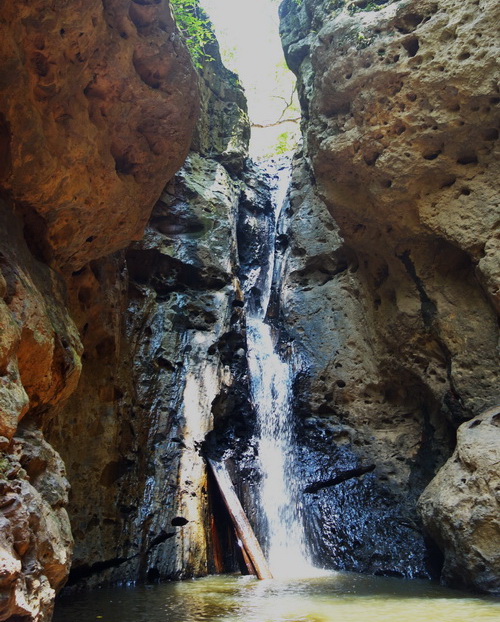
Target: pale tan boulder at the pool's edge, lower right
{"type": "Point", "coordinates": [460, 506]}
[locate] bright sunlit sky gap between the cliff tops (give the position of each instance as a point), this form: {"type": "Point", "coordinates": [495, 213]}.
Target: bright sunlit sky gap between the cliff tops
{"type": "Point", "coordinates": [248, 34]}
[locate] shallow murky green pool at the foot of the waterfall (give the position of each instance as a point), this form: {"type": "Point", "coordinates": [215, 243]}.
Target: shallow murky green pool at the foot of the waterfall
{"type": "Point", "coordinates": [340, 597]}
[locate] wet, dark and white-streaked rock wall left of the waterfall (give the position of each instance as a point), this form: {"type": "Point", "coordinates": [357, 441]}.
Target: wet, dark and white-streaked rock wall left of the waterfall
{"type": "Point", "coordinates": [162, 329]}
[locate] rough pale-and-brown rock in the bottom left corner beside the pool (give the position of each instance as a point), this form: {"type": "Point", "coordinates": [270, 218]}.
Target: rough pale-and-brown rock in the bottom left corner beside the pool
{"type": "Point", "coordinates": [35, 541]}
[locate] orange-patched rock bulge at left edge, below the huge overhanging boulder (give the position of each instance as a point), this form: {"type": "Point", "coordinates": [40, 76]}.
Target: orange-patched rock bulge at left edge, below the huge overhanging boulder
{"type": "Point", "coordinates": [39, 345]}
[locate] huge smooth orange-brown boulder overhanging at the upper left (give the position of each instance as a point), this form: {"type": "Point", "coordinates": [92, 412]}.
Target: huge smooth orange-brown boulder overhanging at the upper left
{"type": "Point", "coordinates": [97, 105]}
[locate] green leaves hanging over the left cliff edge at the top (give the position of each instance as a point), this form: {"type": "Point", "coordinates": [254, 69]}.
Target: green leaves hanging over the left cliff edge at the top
{"type": "Point", "coordinates": [195, 26]}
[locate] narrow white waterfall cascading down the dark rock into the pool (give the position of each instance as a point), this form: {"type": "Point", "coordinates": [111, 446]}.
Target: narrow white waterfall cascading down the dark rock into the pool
{"type": "Point", "coordinates": [271, 380]}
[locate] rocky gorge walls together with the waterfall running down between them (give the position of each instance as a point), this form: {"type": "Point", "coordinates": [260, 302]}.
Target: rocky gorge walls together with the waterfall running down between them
{"type": "Point", "coordinates": [164, 299]}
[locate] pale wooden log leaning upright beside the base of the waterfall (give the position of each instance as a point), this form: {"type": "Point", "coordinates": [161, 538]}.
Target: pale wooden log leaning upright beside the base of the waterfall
{"type": "Point", "coordinates": [250, 546]}
